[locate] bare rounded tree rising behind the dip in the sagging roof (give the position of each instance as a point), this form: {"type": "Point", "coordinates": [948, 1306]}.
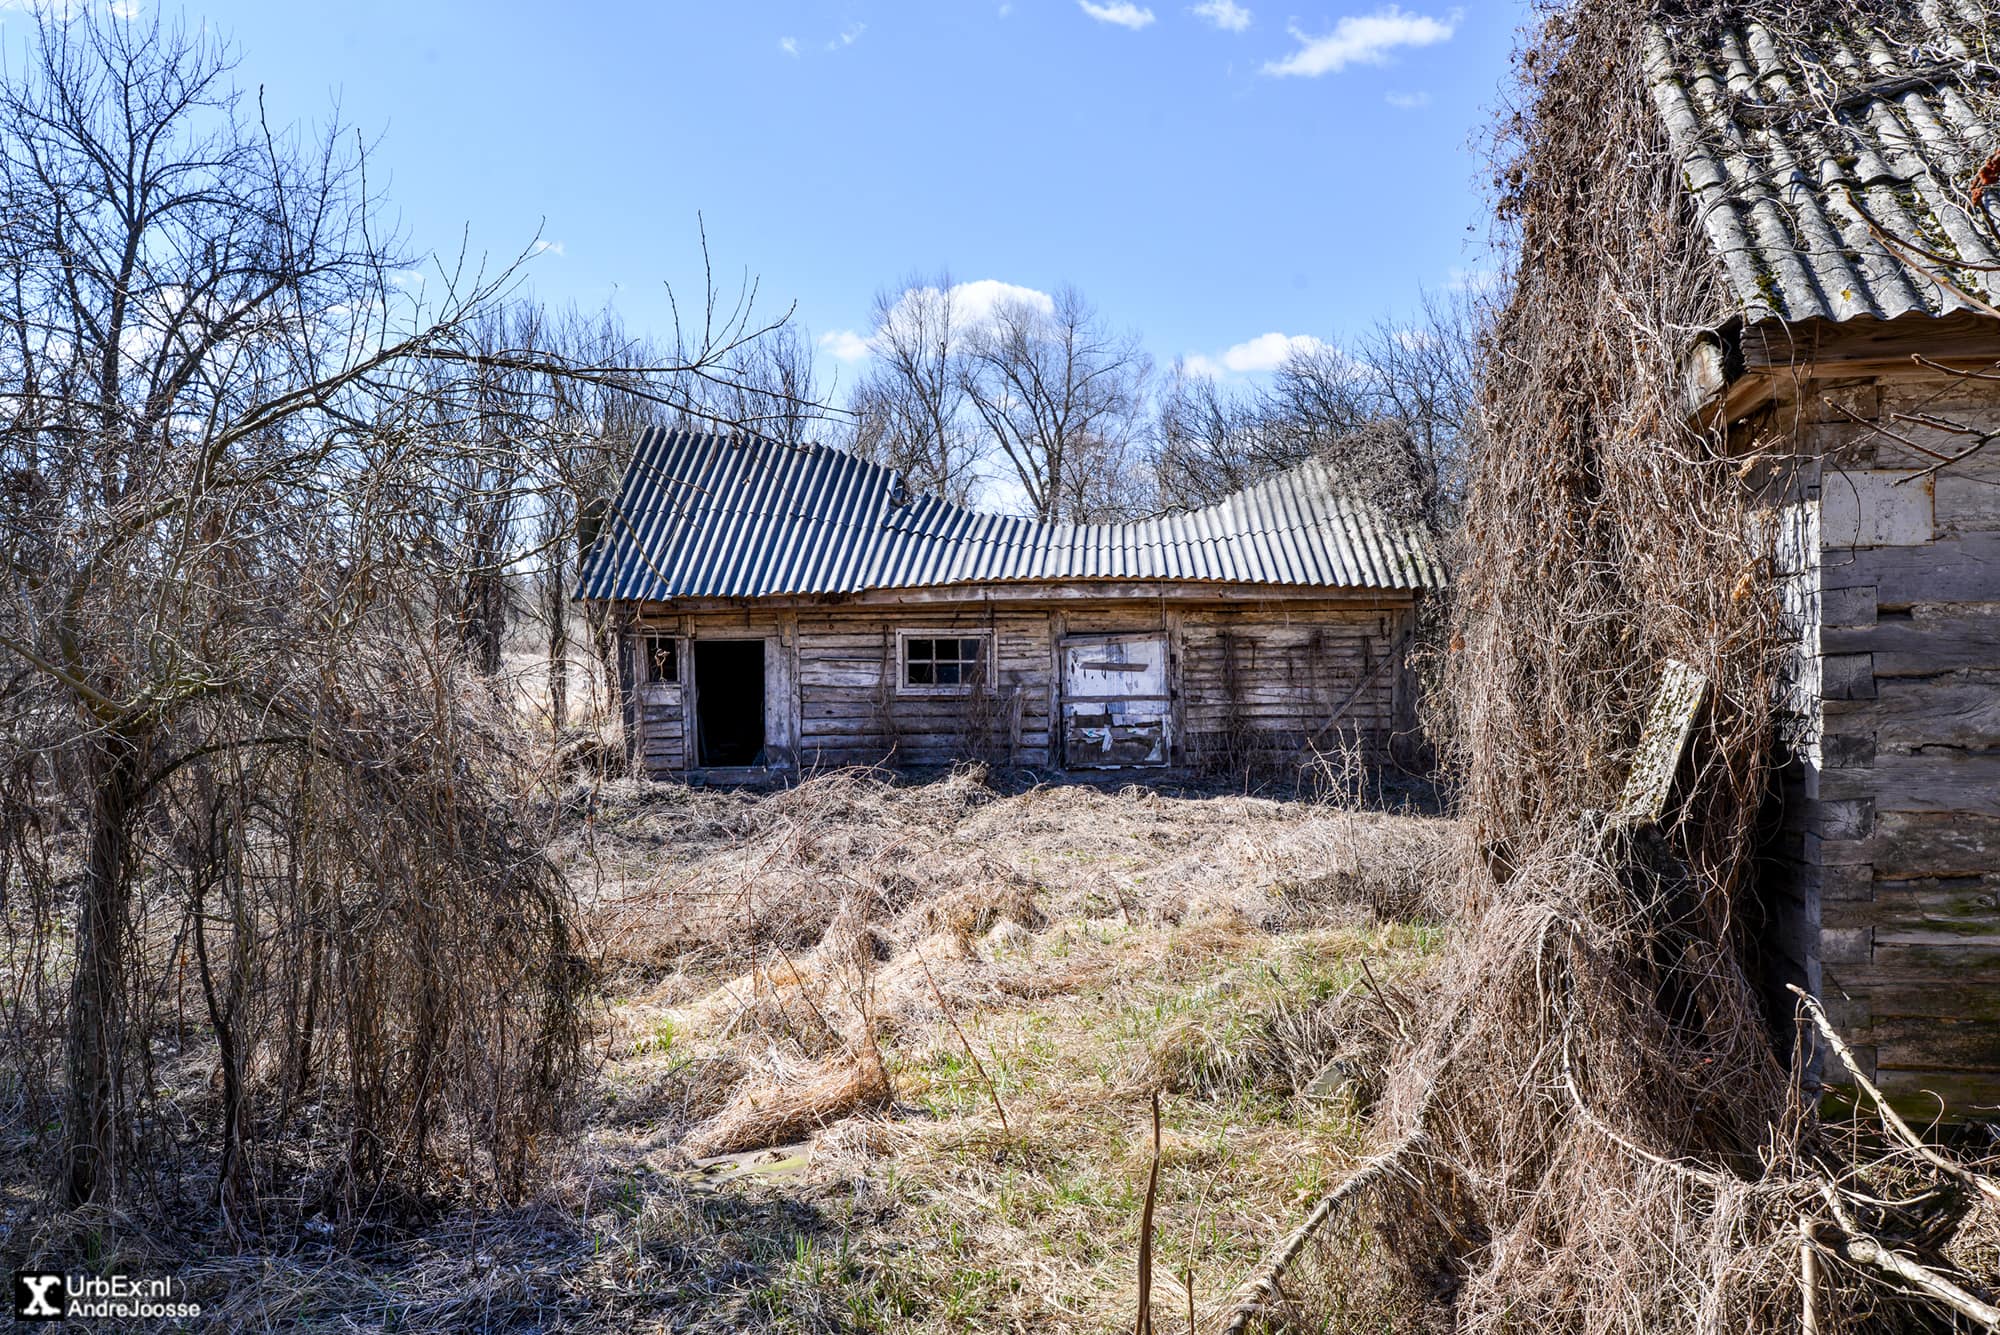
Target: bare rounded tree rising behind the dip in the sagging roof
{"type": "Point", "coordinates": [1063, 399]}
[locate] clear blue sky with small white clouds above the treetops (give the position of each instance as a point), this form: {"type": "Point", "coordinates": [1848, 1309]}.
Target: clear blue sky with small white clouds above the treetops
{"type": "Point", "coordinates": [1207, 175]}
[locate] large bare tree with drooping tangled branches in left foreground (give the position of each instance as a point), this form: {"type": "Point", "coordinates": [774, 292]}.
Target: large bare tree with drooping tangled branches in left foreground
{"type": "Point", "coordinates": [235, 667]}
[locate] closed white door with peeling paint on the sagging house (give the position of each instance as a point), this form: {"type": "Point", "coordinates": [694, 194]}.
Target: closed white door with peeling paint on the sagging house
{"type": "Point", "coordinates": [1117, 702]}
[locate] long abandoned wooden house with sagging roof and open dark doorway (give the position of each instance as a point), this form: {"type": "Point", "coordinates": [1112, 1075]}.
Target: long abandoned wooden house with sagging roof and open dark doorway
{"type": "Point", "coordinates": [789, 609]}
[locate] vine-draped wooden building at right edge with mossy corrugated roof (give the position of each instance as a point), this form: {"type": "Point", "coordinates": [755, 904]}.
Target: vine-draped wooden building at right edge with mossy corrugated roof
{"type": "Point", "coordinates": [1843, 205]}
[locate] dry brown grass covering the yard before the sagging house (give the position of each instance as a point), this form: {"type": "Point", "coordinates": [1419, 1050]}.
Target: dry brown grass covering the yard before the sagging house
{"type": "Point", "coordinates": [945, 1006]}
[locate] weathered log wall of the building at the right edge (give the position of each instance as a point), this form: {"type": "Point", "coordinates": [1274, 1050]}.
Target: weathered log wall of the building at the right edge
{"type": "Point", "coordinates": [1895, 798]}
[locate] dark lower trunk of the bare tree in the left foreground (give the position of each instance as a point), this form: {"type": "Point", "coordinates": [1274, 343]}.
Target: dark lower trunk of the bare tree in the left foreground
{"type": "Point", "coordinates": [97, 1130]}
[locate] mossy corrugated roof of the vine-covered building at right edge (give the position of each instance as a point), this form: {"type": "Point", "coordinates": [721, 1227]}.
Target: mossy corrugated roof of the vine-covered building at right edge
{"type": "Point", "coordinates": [1805, 153]}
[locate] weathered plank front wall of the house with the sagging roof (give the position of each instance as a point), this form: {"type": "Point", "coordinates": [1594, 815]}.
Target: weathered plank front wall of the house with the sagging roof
{"type": "Point", "coordinates": [1253, 682]}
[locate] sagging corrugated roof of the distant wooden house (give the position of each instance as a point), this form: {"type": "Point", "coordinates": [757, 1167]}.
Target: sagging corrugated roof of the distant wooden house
{"type": "Point", "coordinates": [739, 517]}
